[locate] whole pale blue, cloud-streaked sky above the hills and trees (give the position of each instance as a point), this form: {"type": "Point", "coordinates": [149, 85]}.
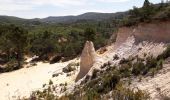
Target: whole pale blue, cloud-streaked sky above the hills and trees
{"type": "Point", "coordinates": [44, 8]}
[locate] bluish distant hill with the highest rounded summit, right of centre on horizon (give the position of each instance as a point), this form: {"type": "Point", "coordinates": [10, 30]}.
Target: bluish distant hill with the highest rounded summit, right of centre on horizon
{"type": "Point", "coordinates": [86, 16]}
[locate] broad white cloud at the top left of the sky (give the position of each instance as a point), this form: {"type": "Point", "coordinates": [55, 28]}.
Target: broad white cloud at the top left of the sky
{"type": "Point", "coordinates": [22, 5]}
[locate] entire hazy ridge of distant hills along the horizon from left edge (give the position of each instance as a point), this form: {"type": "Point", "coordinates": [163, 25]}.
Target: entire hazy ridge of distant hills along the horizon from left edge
{"type": "Point", "coordinates": [92, 16]}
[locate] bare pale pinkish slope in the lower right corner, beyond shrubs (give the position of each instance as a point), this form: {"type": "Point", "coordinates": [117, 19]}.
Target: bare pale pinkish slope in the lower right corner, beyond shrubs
{"type": "Point", "coordinates": [159, 84]}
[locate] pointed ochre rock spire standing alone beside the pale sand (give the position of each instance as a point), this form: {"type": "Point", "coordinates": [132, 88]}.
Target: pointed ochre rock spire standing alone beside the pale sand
{"type": "Point", "coordinates": [87, 59]}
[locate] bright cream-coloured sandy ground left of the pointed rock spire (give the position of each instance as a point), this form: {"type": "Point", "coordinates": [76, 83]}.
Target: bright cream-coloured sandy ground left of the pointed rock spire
{"type": "Point", "coordinates": [22, 82]}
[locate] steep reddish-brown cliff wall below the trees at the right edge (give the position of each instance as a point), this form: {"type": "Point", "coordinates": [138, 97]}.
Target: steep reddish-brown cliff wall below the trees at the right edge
{"type": "Point", "coordinates": [153, 32]}
